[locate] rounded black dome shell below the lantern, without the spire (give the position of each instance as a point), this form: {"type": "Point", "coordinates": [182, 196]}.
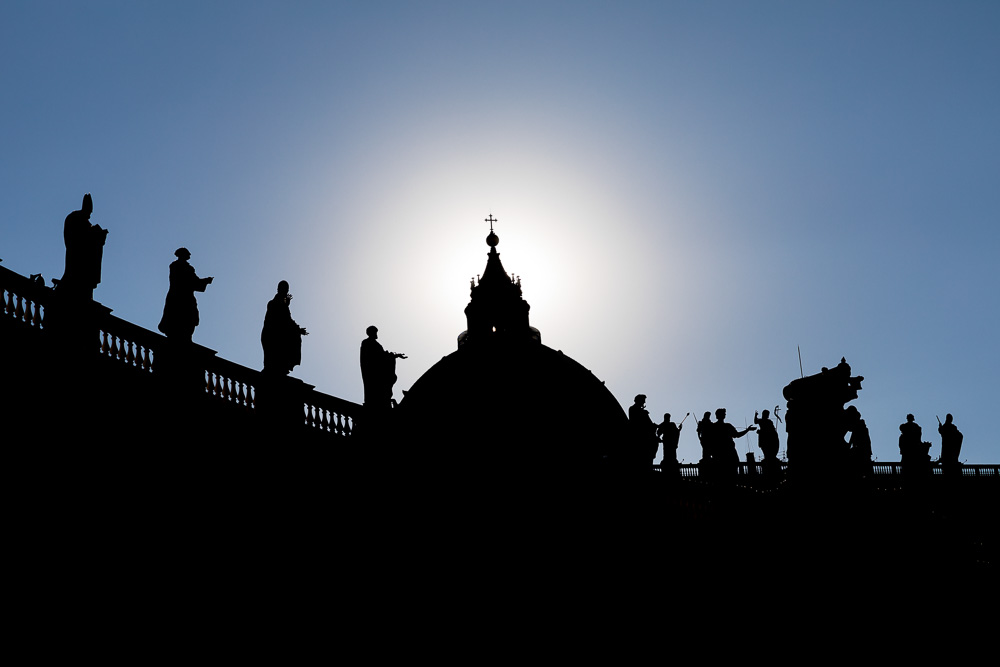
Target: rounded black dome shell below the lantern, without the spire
{"type": "Point", "coordinates": [520, 405]}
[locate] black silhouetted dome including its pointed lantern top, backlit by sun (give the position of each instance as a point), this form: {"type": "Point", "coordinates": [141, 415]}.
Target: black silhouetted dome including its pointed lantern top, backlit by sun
{"type": "Point", "coordinates": [505, 401]}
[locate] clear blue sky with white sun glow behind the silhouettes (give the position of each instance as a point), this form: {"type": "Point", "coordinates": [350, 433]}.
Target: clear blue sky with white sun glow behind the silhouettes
{"type": "Point", "coordinates": [691, 192]}
